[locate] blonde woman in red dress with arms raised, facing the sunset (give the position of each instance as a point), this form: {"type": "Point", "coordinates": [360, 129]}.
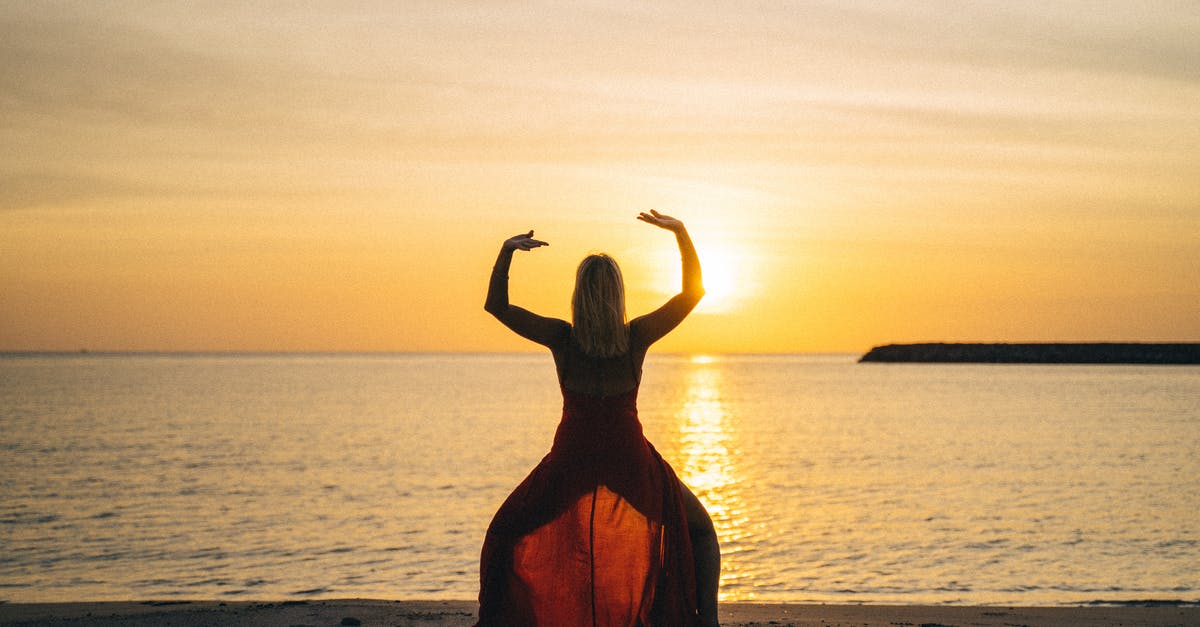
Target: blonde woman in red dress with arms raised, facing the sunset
{"type": "Point", "coordinates": [602, 533]}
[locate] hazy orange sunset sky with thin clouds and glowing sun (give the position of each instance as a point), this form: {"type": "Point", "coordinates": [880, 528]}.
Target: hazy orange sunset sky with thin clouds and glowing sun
{"type": "Point", "coordinates": [340, 177]}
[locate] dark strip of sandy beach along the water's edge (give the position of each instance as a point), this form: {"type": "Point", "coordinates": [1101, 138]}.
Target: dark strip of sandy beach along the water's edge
{"type": "Point", "coordinates": [463, 613]}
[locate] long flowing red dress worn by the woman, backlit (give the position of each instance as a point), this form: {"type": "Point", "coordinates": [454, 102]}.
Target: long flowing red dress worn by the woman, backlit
{"type": "Point", "coordinates": [596, 535]}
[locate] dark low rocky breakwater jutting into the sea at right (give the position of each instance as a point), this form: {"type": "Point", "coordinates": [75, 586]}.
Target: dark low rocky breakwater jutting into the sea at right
{"type": "Point", "coordinates": [1037, 354]}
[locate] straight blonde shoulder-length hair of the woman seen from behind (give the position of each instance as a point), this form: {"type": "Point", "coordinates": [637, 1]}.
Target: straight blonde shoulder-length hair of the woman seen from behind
{"type": "Point", "coordinates": [598, 308]}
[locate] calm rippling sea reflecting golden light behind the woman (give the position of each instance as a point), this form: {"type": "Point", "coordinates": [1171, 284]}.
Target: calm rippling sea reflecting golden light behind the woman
{"type": "Point", "coordinates": [274, 477]}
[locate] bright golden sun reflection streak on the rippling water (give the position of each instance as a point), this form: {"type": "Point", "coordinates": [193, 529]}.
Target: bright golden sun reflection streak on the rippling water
{"type": "Point", "coordinates": [709, 452]}
